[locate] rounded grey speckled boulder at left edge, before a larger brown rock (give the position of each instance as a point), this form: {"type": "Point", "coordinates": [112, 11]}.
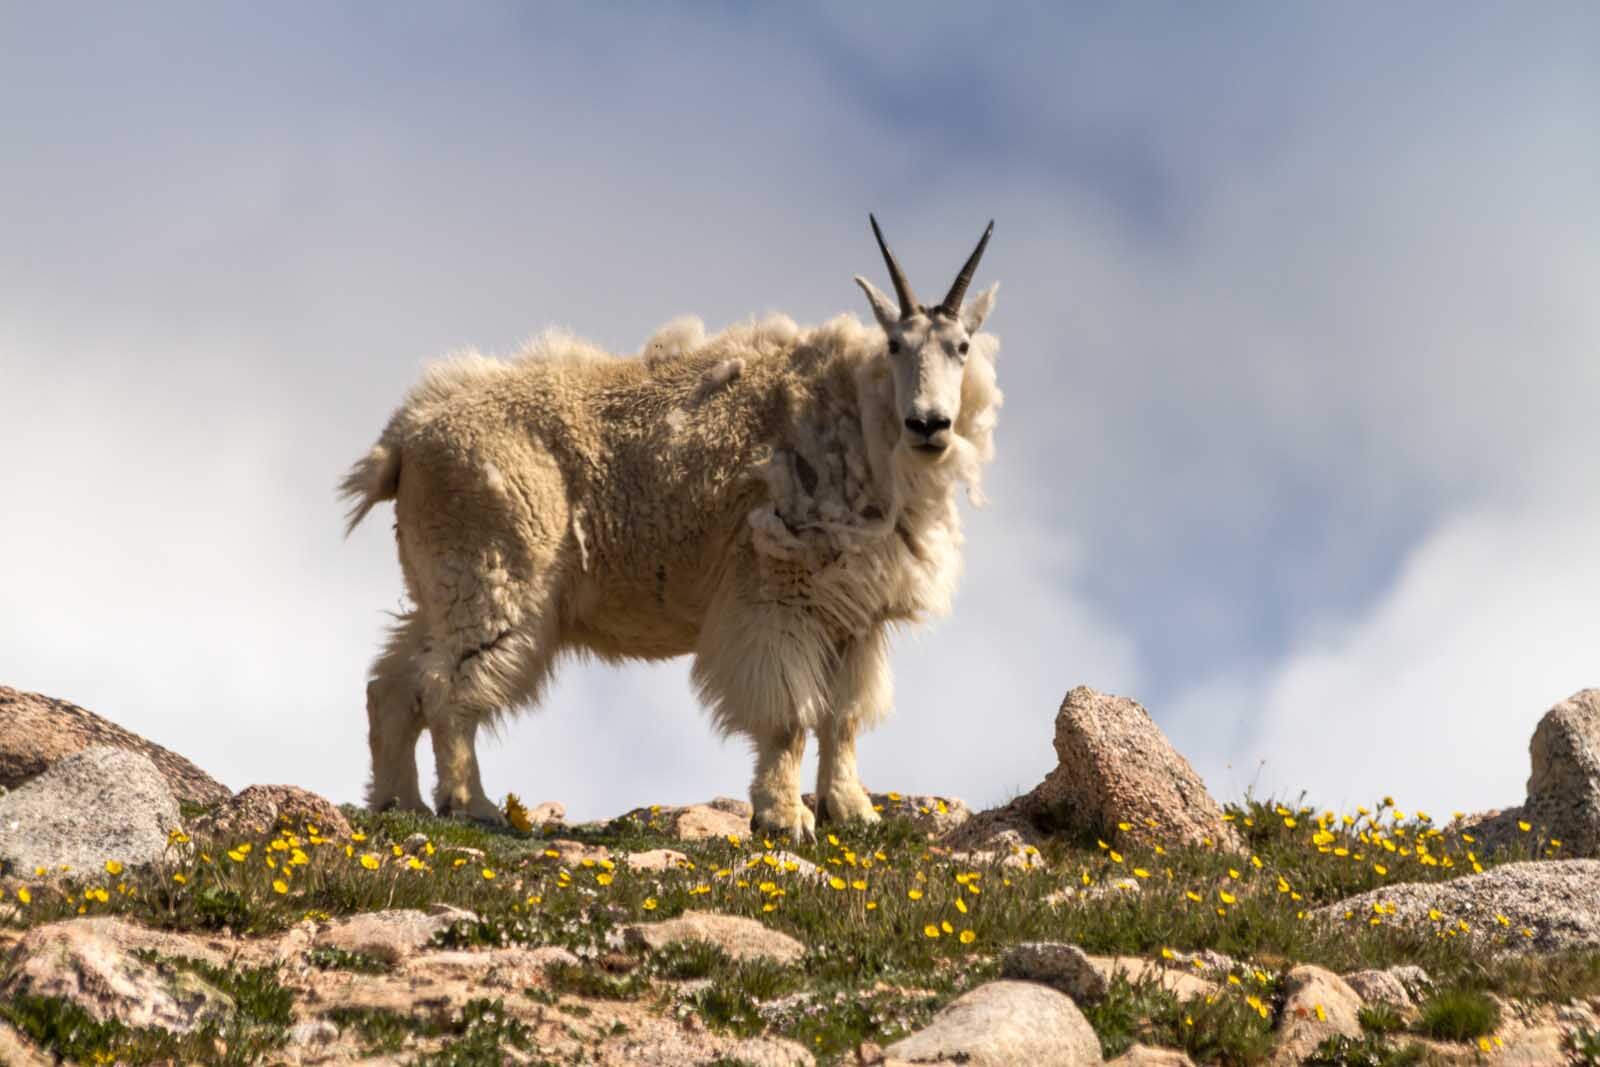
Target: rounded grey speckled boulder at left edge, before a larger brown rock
{"type": "Point", "coordinates": [90, 807]}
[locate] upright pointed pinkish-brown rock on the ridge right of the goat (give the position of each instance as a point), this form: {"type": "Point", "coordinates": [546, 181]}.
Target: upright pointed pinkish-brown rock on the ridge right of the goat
{"type": "Point", "coordinates": [1116, 767]}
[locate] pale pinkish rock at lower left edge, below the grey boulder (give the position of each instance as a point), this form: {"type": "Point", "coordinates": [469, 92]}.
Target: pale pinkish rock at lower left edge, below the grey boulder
{"type": "Point", "coordinates": [92, 962]}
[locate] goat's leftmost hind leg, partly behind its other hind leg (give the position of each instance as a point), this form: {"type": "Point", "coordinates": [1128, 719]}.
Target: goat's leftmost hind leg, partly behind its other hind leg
{"type": "Point", "coordinates": [394, 721]}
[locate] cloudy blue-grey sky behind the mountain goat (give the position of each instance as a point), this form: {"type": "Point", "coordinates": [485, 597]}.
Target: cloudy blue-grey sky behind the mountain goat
{"type": "Point", "coordinates": [1297, 318]}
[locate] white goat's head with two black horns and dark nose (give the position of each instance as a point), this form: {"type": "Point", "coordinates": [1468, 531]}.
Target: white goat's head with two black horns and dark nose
{"type": "Point", "coordinates": [927, 348]}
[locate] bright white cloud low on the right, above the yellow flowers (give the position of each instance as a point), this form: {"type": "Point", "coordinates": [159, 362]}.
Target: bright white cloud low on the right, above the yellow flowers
{"type": "Point", "coordinates": [1433, 695]}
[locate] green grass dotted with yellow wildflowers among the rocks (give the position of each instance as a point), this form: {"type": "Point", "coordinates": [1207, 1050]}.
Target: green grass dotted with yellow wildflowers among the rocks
{"type": "Point", "coordinates": [894, 929]}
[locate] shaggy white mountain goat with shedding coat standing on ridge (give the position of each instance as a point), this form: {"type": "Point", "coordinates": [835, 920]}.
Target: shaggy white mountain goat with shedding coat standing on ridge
{"type": "Point", "coordinates": [769, 500]}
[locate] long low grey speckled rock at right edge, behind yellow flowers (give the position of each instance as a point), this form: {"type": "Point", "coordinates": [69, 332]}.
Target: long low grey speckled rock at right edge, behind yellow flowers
{"type": "Point", "coordinates": [1559, 901]}
